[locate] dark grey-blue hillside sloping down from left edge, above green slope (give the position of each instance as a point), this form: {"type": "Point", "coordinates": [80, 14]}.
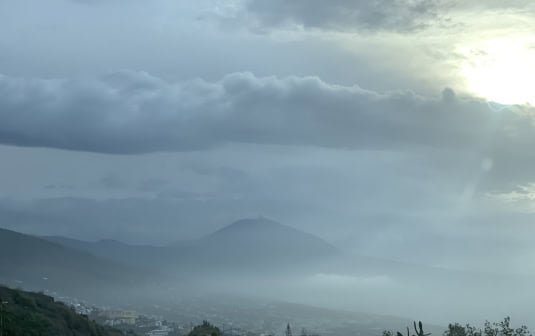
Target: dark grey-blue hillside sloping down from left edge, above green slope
{"type": "Point", "coordinates": [36, 263]}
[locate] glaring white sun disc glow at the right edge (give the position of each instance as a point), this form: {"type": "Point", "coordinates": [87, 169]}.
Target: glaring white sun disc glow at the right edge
{"type": "Point", "coordinates": [501, 70]}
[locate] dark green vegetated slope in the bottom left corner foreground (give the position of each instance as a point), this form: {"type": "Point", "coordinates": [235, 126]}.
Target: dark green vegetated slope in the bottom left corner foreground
{"type": "Point", "coordinates": [35, 314]}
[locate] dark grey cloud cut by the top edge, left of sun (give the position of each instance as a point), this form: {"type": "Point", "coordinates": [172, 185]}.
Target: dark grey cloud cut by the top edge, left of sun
{"type": "Point", "coordinates": [343, 15]}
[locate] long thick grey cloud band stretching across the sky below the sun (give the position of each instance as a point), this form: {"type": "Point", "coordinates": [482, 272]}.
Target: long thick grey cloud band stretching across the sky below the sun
{"type": "Point", "coordinates": [133, 112]}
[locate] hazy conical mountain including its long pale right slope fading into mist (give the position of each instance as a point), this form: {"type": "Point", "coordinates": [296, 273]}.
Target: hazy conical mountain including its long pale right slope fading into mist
{"type": "Point", "coordinates": [251, 246]}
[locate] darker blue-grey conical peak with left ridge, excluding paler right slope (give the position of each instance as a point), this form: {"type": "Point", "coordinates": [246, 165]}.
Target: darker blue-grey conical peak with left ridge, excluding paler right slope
{"type": "Point", "coordinates": [248, 244]}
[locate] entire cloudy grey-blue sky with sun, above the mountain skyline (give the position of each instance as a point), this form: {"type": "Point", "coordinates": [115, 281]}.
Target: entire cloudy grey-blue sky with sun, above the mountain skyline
{"type": "Point", "coordinates": [402, 129]}
